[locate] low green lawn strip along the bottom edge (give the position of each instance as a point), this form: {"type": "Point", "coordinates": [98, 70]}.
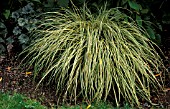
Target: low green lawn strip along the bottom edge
{"type": "Point", "coordinates": [18, 101]}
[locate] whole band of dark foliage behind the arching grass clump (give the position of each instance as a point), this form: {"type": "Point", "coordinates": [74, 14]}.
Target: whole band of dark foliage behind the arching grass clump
{"type": "Point", "coordinates": [17, 18]}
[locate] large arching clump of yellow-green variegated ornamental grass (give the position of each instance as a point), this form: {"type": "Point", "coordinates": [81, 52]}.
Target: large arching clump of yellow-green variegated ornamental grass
{"type": "Point", "coordinates": [94, 56]}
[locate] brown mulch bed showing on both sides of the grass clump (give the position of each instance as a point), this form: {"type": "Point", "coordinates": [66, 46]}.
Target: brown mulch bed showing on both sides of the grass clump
{"type": "Point", "coordinates": [13, 79]}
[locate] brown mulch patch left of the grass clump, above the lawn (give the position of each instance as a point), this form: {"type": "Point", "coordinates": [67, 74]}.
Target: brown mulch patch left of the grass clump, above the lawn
{"type": "Point", "coordinates": [15, 80]}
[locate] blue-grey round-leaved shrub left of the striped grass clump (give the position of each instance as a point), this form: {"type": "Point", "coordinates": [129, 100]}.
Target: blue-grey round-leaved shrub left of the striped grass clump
{"type": "Point", "coordinates": [15, 27]}
